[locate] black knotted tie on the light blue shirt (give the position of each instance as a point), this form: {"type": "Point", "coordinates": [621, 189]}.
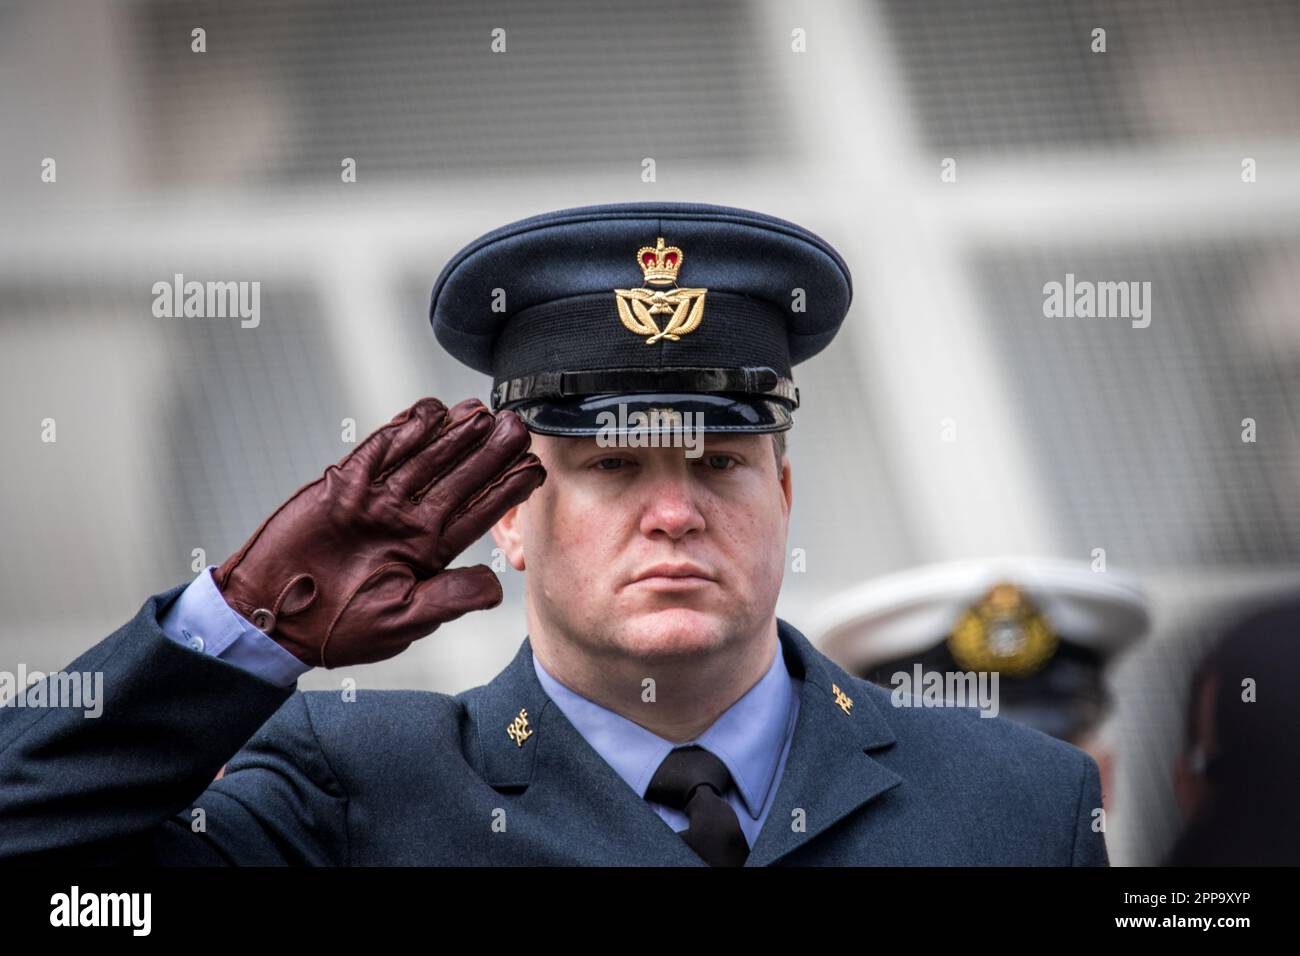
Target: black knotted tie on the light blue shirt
{"type": "Point", "coordinates": [694, 780]}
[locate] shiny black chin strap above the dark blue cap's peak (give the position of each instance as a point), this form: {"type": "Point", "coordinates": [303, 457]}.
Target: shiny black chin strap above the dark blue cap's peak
{"type": "Point", "coordinates": [593, 382]}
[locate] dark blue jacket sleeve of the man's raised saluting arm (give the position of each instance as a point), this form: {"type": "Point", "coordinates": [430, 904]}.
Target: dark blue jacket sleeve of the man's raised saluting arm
{"type": "Point", "coordinates": [136, 782]}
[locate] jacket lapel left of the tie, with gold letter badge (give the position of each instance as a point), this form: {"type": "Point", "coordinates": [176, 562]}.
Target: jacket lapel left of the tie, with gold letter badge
{"type": "Point", "coordinates": [557, 760]}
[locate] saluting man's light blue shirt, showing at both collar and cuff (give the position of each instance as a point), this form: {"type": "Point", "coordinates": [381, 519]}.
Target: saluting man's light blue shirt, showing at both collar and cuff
{"type": "Point", "coordinates": [752, 737]}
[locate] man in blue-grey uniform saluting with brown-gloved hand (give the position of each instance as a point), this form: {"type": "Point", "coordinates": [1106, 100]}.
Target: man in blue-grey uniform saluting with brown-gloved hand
{"type": "Point", "coordinates": [657, 713]}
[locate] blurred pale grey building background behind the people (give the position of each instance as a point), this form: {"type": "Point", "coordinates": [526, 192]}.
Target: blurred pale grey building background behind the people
{"type": "Point", "coordinates": [176, 435]}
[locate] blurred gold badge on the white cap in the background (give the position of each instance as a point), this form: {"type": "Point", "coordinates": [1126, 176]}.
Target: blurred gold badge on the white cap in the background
{"type": "Point", "coordinates": [1004, 633]}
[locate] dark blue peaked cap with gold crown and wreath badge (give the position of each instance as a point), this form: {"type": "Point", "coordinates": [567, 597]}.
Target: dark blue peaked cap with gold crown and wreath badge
{"type": "Point", "coordinates": [653, 305]}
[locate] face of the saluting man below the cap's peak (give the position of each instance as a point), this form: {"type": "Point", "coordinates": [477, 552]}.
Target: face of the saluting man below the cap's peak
{"type": "Point", "coordinates": [592, 537]}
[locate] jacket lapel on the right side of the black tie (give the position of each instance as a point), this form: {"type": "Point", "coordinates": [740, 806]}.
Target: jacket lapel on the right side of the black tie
{"type": "Point", "coordinates": [829, 772]}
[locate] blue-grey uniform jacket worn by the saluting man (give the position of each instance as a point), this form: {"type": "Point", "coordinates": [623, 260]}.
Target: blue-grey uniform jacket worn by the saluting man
{"type": "Point", "coordinates": [421, 778]}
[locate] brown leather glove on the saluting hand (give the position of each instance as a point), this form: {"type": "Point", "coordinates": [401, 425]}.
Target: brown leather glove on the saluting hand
{"type": "Point", "coordinates": [350, 570]}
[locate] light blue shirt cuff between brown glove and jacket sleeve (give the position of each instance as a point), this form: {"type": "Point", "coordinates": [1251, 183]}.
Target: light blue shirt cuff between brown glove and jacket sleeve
{"type": "Point", "coordinates": [202, 621]}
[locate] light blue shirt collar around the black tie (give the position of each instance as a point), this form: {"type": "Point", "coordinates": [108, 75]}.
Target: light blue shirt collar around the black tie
{"type": "Point", "coordinates": [749, 737]}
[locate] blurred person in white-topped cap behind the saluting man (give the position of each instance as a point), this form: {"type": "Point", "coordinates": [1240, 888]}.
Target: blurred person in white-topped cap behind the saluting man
{"type": "Point", "coordinates": [1051, 629]}
